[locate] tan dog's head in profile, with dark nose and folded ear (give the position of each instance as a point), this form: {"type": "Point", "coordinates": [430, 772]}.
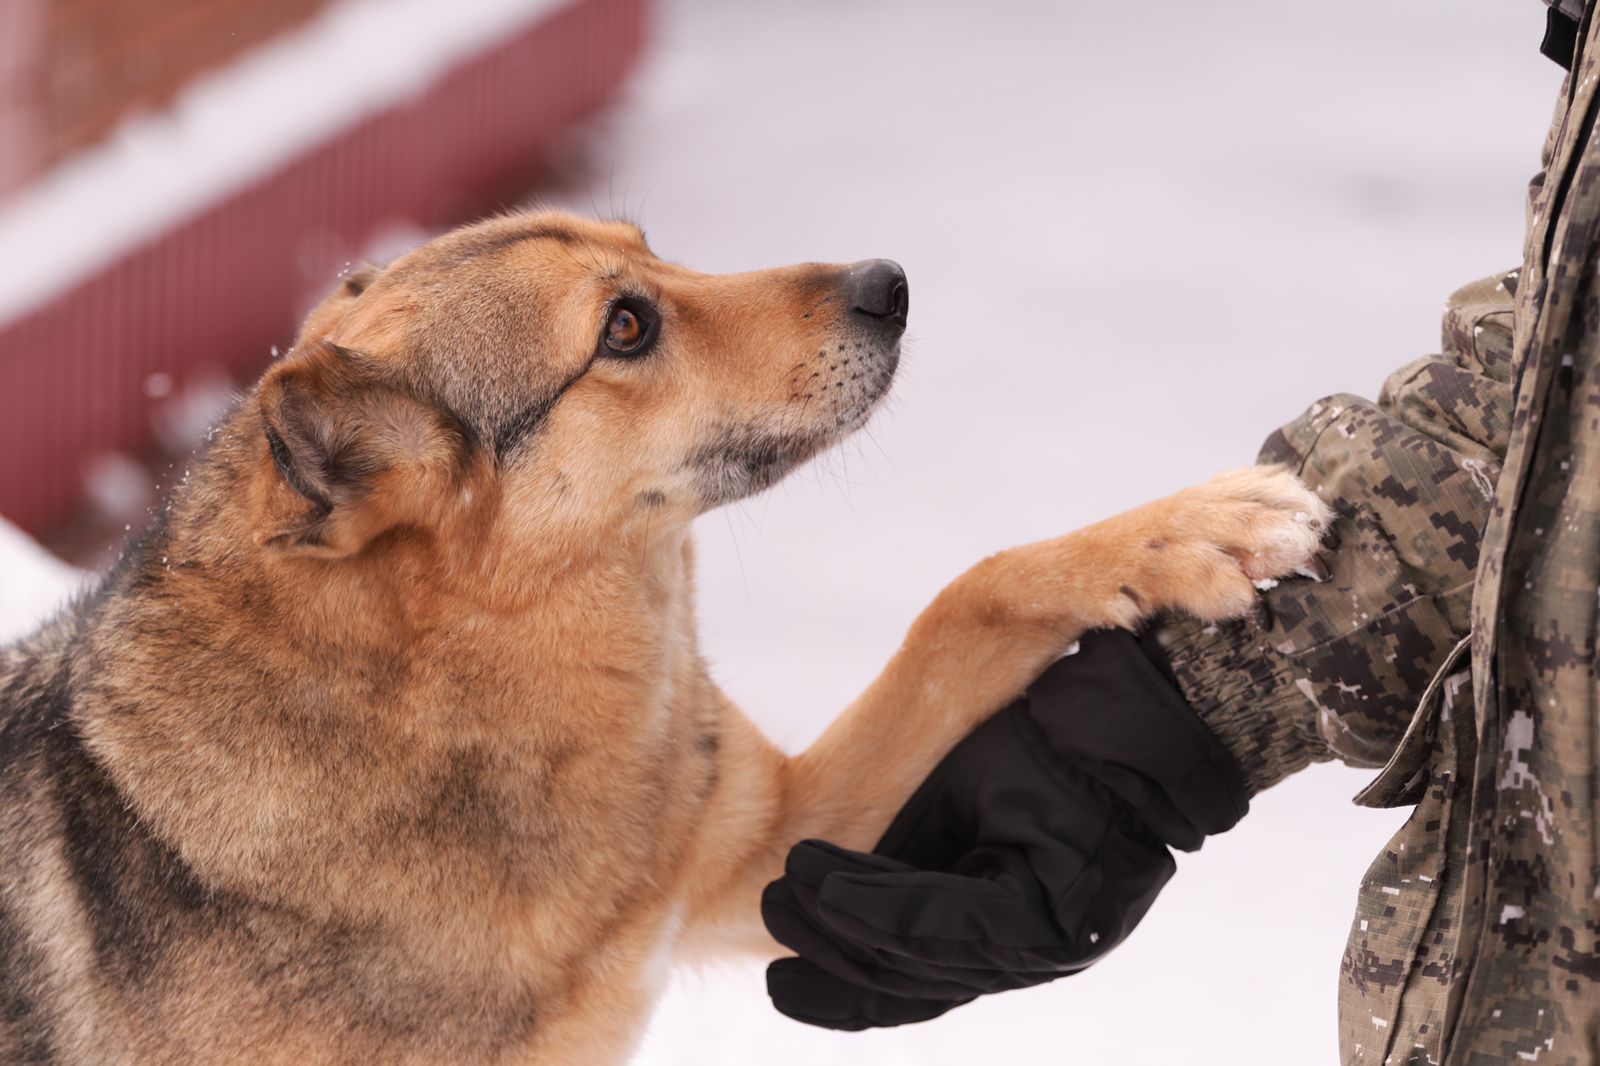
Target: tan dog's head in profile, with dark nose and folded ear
{"type": "Point", "coordinates": [556, 374]}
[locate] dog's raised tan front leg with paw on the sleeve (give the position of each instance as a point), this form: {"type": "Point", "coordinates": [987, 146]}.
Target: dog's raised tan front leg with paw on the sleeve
{"type": "Point", "coordinates": [985, 638]}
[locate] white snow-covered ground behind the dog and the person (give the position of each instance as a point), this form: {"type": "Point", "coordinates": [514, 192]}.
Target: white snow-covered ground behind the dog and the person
{"type": "Point", "coordinates": [1138, 238]}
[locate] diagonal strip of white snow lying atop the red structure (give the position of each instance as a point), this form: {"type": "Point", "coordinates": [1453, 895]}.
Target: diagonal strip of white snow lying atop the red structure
{"type": "Point", "coordinates": [297, 92]}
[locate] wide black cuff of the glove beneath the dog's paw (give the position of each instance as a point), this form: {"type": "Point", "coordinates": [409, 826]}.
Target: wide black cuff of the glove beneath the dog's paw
{"type": "Point", "coordinates": [1114, 713]}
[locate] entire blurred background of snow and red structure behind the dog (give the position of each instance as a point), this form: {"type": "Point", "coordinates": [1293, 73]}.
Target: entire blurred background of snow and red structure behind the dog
{"type": "Point", "coordinates": [1138, 238]}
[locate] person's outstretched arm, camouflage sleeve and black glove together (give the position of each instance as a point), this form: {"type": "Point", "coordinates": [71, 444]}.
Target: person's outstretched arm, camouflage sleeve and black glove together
{"type": "Point", "coordinates": [1042, 840]}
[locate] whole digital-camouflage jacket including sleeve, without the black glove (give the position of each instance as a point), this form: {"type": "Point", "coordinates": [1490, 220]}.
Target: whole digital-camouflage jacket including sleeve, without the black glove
{"type": "Point", "coordinates": [1455, 647]}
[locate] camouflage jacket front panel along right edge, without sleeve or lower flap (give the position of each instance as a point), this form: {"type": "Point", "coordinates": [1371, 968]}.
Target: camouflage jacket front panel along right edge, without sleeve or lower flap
{"type": "Point", "coordinates": [1532, 888]}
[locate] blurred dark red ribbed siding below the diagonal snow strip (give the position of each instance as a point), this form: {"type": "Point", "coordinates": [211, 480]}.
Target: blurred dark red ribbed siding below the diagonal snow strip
{"type": "Point", "coordinates": [225, 286]}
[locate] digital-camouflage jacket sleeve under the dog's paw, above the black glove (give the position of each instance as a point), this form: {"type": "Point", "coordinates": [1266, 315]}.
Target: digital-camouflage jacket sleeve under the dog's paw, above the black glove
{"type": "Point", "coordinates": [1340, 670]}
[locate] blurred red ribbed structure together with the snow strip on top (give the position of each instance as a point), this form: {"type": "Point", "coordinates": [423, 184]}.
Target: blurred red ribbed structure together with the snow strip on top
{"type": "Point", "coordinates": [194, 239]}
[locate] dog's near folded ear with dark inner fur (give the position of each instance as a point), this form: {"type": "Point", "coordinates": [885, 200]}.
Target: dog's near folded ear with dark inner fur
{"type": "Point", "coordinates": [348, 459]}
